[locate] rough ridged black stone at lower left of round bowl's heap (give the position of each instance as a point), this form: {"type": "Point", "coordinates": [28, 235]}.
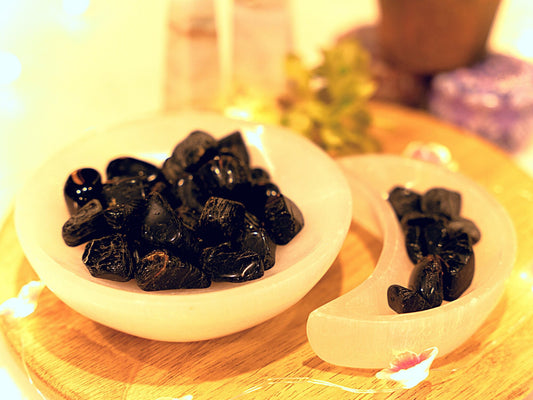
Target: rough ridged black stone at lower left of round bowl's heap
{"type": "Point", "coordinates": [109, 258]}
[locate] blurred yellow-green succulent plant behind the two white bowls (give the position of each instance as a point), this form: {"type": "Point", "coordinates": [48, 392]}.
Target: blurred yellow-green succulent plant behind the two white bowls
{"type": "Point", "coordinates": [329, 103]}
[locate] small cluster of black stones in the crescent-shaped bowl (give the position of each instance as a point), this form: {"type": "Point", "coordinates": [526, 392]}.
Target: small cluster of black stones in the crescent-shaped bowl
{"type": "Point", "coordinates": [439, 242]}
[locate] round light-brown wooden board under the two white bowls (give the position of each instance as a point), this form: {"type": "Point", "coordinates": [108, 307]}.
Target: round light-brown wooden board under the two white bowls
{"type": "Point", "coordinates": [70, 357]}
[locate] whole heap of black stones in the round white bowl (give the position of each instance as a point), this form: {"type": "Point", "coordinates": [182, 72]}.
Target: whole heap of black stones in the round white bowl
{"type": "Point", "coordinates": [204, 215]}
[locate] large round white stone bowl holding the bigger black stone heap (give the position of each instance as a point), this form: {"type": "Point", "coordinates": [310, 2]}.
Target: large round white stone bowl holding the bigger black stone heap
{"type": "Point", "coordinates": [302, 171]}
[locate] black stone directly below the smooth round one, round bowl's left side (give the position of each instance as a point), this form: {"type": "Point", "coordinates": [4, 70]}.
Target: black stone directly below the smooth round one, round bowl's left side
{"type": "Point", "coordinates": [88, 223]}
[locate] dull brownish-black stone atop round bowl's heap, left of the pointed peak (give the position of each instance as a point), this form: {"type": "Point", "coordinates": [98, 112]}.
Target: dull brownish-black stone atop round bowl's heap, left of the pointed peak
{"type": "Point", "coordinates": [194, 150]}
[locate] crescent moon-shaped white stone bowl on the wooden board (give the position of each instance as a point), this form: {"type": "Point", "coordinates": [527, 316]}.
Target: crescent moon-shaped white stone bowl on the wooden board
{"type": "Point", "coordinates": [359, 329]}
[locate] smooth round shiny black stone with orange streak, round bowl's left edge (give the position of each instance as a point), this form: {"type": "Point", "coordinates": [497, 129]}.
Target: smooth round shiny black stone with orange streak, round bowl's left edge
{"type": "Point", "coordinates": [81, 186]}
